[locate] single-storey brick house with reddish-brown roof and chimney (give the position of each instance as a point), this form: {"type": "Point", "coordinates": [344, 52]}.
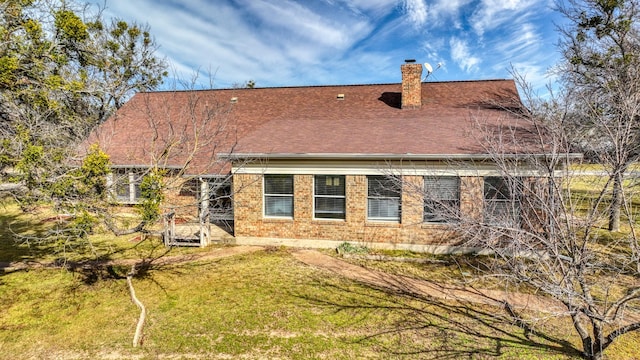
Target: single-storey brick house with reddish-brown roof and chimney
{"type": "Point", "coordinates": [320, 165]}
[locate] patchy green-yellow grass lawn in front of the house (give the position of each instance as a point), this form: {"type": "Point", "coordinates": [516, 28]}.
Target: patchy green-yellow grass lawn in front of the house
{"type": "Point", "coordinates": [263, 305]}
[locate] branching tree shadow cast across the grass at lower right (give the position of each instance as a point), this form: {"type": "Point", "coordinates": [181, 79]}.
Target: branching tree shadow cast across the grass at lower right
{"type": "Point", "coordinates": [417, 325]}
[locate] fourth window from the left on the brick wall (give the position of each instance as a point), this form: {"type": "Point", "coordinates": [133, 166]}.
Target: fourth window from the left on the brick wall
{"type": "Point", "coordinates": [441, 198]}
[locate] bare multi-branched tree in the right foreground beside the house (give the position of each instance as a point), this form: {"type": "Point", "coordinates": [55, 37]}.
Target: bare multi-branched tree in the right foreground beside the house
{"type": "Point", "coordinates": [542, 224]}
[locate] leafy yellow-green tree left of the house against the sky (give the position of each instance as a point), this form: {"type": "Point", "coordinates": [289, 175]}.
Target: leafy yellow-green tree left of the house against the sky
{"type": "Point", "coordinates": [62, 72]}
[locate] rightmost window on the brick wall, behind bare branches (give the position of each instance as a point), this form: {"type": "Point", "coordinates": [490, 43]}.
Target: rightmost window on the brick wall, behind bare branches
{"type": "Point", "coordinates": [501, 205]}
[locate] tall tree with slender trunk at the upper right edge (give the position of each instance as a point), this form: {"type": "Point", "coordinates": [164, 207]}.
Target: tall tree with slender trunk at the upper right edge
{"type": "Point", "coordinates": [601, 70]}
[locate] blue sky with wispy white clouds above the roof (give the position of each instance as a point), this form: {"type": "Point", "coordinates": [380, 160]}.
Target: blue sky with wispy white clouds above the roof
{"type": "Point", "coordinates": [334, 42]}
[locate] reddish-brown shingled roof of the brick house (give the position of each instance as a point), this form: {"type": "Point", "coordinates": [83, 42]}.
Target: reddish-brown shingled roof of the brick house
{"type": "Point", "coordinates": [194, 127]}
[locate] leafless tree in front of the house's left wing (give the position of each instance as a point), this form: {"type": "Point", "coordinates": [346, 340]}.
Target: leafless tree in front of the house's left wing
{"type": "Point", "coordinates": [174, 165]}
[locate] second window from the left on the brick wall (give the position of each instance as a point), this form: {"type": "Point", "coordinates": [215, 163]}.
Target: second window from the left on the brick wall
{"type": "Point", "coordinates": [329, 197]}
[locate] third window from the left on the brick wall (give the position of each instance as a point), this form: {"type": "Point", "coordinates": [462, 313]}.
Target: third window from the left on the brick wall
{"type": "Point", "coordinates": [383, 198]}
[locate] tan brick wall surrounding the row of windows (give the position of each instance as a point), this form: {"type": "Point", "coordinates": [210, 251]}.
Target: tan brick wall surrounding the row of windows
{"type": "Point", "coordinates": [250, 222]}
